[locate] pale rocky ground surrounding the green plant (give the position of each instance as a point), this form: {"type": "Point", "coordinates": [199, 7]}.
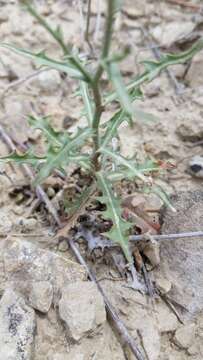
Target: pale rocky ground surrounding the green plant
{"type": "Point", "coordinates": [49, 310]}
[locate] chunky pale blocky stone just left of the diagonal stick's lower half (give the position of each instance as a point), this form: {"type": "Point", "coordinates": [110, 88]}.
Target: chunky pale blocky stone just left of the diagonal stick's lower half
{"type": "Point", "coordinates": [82, 309]}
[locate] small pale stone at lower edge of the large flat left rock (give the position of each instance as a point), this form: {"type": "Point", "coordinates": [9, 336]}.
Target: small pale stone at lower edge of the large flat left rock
{"type": "Point", "coordinates": [41, 296]}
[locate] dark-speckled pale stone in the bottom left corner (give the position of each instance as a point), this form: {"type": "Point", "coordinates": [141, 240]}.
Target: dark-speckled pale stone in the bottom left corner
{"type": "Point", "coordinates": [17, 327]}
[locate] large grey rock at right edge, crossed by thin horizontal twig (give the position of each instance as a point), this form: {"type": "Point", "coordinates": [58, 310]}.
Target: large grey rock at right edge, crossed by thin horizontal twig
{"type": "Point", "coordinates": [181, 259]}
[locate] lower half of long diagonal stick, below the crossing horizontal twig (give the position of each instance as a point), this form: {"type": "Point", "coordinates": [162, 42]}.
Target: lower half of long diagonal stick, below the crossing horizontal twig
{"type": "Point", "coordinates": [120, 326]}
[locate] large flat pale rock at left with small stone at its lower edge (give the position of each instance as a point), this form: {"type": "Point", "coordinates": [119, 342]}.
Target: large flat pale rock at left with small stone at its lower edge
{"type": "Point", "coordinates": [29, 269]}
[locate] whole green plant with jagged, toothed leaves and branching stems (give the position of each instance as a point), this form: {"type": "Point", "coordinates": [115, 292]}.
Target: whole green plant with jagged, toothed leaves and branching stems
{"type": "Point", "coordinates": [64, 148]}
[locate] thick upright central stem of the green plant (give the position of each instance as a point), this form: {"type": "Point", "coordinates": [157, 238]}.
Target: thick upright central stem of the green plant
{"type": "Point", "coordinates": [96, 80]}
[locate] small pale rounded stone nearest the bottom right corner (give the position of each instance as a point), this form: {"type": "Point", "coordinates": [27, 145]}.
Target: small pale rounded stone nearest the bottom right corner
{"type": "Point", "coordinates": [185, 336]}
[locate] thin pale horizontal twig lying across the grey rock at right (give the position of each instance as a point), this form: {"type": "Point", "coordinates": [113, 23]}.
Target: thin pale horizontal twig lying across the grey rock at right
{"type": "Point", "coordinates": [167, 236]}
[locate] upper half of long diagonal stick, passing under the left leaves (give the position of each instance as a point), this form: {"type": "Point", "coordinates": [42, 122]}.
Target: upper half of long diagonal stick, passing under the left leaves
{"type": "Point", "coordinates": [39, 190]}
